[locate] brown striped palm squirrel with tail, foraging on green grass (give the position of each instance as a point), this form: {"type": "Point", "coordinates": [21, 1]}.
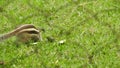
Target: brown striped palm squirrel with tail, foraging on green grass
{"type": "Point", "coordinates": [24, 34]}
